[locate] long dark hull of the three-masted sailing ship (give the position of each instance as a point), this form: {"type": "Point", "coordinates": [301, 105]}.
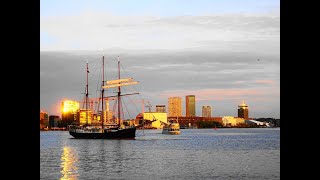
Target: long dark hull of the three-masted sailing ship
{"type": "Point", "coordinates": [129, 133]}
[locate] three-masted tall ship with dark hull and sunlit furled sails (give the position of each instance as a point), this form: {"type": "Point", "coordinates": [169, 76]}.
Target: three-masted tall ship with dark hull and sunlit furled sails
{"type": "Point", "coordinates": [115, 130]}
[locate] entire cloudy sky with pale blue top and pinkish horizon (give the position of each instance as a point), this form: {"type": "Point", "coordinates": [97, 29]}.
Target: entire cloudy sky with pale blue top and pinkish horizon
{"type": "Point", "coordinates": [223, 52]}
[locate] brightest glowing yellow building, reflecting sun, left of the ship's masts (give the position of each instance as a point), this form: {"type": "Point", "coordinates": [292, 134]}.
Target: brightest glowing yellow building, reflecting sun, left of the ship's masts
{"type": "Point", "coordinates": [69, 111]}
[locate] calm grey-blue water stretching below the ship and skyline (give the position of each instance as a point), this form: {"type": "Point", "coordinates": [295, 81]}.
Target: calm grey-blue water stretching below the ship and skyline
{"type": "Point", "coordinates": [194, 154]}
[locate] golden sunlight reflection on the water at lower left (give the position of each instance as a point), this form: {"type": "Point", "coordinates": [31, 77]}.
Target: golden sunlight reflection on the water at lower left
{"type": "Point", "coordinates": [68, 164]}
